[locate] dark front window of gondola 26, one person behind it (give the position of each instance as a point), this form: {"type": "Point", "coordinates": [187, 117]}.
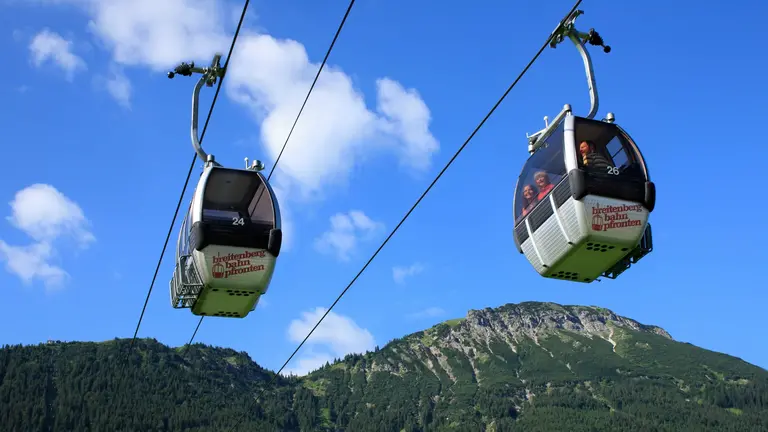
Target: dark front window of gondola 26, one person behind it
{"type": "Point", "coordinates": [602, 150]}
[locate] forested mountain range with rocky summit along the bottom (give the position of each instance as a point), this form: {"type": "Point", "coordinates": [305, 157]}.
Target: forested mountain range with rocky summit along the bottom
{"type": "Point", "coordinates": [520, 367]}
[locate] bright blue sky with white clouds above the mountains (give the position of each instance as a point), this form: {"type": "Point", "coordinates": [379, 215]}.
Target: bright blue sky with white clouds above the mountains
{"type": "Point", "coordinates": [89, 112]}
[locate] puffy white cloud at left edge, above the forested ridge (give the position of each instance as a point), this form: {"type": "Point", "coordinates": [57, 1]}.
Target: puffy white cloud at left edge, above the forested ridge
{"type": "Point", "coordinates": [44, 214]}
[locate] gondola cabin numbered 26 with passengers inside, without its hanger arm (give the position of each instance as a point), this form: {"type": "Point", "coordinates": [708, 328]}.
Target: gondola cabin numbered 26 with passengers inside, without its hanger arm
{"type": "Point", "coordinates": [582, 201]}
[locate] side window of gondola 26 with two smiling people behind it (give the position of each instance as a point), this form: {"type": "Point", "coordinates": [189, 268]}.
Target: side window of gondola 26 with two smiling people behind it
{"type": "Point", "coordinates": [543, 170]}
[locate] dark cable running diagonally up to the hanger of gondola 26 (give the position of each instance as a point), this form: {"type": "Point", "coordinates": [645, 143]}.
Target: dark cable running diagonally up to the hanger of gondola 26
{"type": "Point", "coordinates": [413, 207]}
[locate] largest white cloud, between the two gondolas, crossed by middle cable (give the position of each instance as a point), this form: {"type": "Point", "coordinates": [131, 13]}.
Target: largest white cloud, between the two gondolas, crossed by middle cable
{"type": "Point", "coordinates": [336, 130]}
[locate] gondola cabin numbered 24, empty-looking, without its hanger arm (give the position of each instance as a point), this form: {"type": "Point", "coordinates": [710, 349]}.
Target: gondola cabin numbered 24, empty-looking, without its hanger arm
{"type": "Point", "coordinates": [228, 244]}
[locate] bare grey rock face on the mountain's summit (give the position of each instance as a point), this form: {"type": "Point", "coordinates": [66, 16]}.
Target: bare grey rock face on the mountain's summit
{"type": "Point", "coordinates": [468, 343]}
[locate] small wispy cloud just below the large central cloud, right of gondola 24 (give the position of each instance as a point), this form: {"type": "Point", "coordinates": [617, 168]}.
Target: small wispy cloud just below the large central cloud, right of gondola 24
{"type": "Point", "coordinates": [346, 232]}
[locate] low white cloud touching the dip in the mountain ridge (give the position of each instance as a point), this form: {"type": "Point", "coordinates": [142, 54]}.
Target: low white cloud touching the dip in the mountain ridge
{"type": "Point", "coordinates": [335, 337]}
